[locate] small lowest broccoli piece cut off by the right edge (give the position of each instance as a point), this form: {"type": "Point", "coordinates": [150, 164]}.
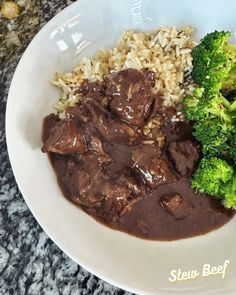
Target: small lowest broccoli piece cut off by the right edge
{"type": "Point", "coordinates": [228, 192]}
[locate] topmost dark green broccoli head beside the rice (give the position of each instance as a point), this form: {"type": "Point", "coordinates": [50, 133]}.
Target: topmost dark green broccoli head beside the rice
{"type": "Point", "coordinates": [212, 59]}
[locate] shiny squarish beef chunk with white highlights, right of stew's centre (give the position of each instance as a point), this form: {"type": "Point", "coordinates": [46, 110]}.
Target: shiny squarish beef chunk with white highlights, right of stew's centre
{"type": "Point", "coordinates": [151, 166]}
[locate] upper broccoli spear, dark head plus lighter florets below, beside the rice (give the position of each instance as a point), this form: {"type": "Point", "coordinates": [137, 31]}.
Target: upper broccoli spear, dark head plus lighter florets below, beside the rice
{"type": "Point", "coordinates": [214, 70]}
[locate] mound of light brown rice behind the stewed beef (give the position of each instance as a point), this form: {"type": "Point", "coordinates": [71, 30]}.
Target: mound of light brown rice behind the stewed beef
{"type": "Point", "coordinates": [166, 51]}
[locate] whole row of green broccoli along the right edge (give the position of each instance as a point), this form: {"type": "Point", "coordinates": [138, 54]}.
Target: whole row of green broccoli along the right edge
{"type": "Point", "coordinates": [212, 107]}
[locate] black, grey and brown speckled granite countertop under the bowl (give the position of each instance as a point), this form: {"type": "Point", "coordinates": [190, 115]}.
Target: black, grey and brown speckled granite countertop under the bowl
{"type": "Point", "coordinates": [30, 263]}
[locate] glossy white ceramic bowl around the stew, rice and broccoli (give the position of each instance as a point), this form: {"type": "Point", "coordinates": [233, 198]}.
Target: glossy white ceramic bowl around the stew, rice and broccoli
{"type": "Point", "coordinates": [133, 264]}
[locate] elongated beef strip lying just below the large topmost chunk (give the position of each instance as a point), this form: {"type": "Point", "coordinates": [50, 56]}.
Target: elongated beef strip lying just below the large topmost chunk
{"type": "Point", "coordinates": [112, 130]}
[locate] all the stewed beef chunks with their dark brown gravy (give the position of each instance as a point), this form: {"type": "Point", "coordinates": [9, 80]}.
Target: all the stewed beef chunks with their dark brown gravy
{"type": "Point", "coordinates": [123, 178]}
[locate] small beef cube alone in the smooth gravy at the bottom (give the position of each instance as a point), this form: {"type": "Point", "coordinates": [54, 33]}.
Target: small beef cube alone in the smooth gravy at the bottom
{"type": "Point", "coordinates": [176, 206]}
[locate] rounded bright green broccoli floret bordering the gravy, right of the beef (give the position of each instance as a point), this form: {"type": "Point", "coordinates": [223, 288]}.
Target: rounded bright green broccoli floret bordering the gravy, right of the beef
{"type": "Point", "coordinates": [211, 174]}
